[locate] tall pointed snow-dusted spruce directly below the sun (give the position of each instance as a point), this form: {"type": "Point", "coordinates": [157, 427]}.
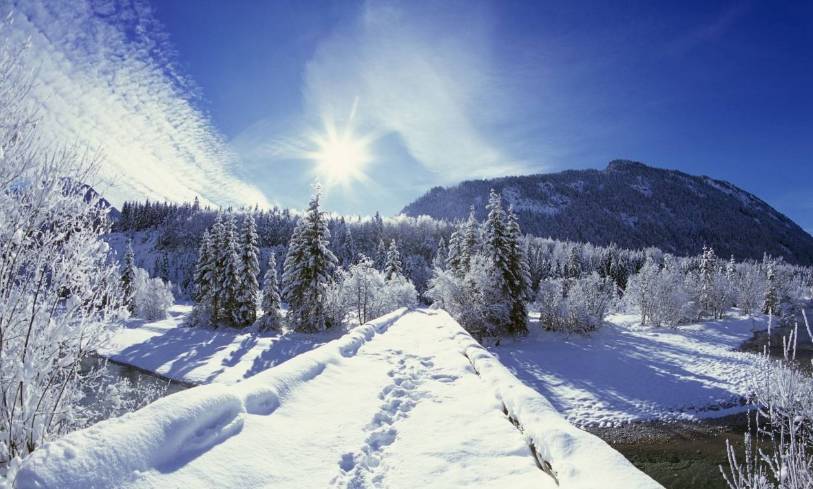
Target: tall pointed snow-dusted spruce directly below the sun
{"type": "Point", "coordinates": [308, 271]}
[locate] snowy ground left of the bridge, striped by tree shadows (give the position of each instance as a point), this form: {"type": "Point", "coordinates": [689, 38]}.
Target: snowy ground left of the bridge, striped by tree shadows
{"type": "Point", "coordinates": [203, 355]}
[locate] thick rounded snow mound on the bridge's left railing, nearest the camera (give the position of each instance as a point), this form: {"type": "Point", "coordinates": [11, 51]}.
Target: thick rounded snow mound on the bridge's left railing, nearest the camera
{"type": "Point", "coordinates": [163, 434]}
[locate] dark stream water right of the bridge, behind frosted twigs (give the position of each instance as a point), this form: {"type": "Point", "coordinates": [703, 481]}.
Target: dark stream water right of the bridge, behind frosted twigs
{"type": "Point", "coordinates": [686, 455]}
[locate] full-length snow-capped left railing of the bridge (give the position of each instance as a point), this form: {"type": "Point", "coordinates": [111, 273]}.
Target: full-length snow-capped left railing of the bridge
{"type": "Point", "coordinates": [173, 430]}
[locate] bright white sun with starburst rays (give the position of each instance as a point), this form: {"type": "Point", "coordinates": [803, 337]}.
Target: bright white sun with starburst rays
{"type": "Point", "coordinates": [341, 156]}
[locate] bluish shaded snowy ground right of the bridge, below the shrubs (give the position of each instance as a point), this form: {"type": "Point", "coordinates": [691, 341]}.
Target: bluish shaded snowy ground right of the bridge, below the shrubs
{"type": "Point", "coordinates": [625, 372]}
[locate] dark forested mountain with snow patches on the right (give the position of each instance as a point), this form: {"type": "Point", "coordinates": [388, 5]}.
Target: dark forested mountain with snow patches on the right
{"type": "Point", "coordinates": [635, 206]}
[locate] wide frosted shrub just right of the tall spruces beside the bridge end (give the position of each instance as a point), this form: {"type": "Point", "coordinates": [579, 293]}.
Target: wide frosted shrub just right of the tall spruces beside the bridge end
{"type": "Point", "coordinates": [576, 305]}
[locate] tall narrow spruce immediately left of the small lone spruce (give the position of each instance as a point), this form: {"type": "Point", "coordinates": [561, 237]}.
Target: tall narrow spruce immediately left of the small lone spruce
{"type": "Point", "coordinates": [249, 265]}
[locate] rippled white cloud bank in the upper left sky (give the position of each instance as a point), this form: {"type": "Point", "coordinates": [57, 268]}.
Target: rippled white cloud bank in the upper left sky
{"type": "Point", "coordinates": [106, 80]}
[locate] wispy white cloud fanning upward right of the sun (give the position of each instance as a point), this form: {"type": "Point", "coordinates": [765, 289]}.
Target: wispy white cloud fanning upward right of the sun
{"type": "Point", "coordinates": [416, 73]}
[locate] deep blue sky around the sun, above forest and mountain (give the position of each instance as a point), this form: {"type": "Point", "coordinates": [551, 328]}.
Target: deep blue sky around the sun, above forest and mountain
{"type": "Point", "coordinates": [446, 91]}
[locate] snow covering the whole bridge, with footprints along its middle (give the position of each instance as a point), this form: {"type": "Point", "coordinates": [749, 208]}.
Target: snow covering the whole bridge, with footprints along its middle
{"type": "Point", "coordinates": [408, 400]}
